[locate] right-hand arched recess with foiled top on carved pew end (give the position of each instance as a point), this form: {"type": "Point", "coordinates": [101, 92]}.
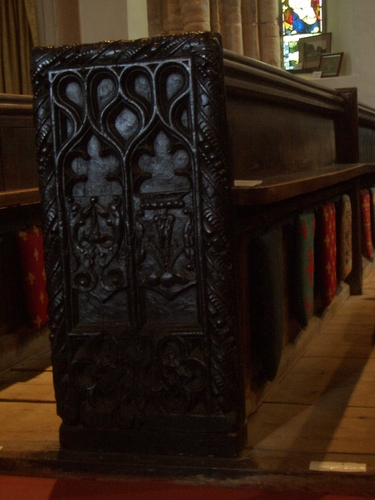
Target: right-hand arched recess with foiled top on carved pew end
{"type": "Point", "coordinates": [164, 220]}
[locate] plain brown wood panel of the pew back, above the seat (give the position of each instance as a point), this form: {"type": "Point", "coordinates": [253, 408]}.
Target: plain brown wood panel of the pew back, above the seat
{"type": "Point", "coordinates": [272, 139]}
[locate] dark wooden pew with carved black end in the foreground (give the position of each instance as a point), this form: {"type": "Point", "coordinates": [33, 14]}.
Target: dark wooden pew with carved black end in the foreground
{"type": "Point", "coordinates": [151, 236]}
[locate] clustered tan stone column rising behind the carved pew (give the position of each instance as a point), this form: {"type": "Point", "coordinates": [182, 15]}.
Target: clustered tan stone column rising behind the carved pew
{"type": "Point", "coordinates": [249, 27]}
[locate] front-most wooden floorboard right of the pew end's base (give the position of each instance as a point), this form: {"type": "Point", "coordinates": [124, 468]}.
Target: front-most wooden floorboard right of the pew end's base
{"type": "Point", "coordinates": [292, 428]}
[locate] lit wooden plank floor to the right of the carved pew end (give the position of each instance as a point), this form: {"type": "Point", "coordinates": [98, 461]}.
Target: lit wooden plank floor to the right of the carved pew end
{"type": "Point", "coordinates": [326, 403]}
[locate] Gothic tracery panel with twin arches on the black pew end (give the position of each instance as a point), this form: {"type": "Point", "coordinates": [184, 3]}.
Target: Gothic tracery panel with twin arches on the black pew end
{"type": "Point", "coordinates": [106, 120]}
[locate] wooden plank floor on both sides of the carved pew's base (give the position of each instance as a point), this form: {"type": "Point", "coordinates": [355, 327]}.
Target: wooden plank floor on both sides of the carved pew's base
{"type": "Point", "coordinates": [321, 414]}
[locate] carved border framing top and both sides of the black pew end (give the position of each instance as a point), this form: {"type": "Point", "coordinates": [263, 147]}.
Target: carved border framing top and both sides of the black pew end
{"type": "Point", "coordinates": [221, 334]}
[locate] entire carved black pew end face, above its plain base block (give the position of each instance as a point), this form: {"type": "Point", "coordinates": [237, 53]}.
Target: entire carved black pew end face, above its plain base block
{"type": "Point", "coordinates": [134, 184]}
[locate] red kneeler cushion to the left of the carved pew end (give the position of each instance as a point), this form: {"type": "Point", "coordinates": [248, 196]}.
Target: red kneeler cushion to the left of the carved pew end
{"type": "Point", "coordinates": [30, 245]}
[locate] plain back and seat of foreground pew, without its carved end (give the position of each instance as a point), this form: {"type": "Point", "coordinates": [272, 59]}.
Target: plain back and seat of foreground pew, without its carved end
{"type": "Point", "coordinates": [307, 145]}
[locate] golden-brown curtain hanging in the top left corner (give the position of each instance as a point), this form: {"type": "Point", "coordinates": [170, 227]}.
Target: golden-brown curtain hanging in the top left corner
{"type": "Point", "coordinates": [18, 35]}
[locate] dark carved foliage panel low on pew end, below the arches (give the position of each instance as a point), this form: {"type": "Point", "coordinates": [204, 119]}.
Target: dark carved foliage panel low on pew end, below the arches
{"type": "Point", "coordinates": [104, 370]}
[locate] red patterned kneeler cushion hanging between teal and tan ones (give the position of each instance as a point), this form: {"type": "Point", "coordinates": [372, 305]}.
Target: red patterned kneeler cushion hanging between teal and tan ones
{"type": "Point", "coordinates": [327, 252]}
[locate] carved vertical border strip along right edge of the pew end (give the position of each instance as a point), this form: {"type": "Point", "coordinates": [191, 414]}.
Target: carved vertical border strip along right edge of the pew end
{"type": "Point", "coordinates": [218, 252]}
